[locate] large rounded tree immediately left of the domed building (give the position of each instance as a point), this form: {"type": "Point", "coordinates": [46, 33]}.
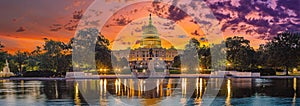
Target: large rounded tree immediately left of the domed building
{"type": "Point", "coordinates": [93, 46]}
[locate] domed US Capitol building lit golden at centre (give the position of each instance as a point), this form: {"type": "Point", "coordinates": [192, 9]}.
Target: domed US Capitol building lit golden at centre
{"type": "Point", "coordinates": [149, 48]}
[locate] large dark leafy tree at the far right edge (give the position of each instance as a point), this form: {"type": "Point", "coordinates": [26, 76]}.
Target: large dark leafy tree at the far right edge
{"type": "Point", "coordinates": [284, 50]}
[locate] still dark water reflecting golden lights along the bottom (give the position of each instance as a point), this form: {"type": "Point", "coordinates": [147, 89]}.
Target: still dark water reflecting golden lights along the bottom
{"type": "Point", "coordinates": [186, 91]}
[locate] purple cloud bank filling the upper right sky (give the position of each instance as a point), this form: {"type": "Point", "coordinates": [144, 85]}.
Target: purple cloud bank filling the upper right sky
{"type": "Point", "coordinates": [265, 18]}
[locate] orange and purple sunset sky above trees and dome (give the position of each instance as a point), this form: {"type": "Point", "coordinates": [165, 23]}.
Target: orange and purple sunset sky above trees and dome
{"type": "Point", "coordinates": [24, 23]}
